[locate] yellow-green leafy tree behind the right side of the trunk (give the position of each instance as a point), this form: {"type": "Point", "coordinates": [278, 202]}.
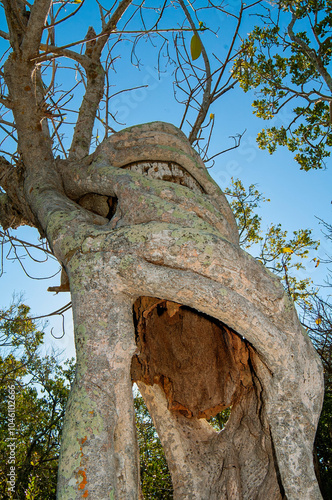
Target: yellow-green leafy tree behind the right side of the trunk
{"type": "Point", "coordinates": [286, 256]}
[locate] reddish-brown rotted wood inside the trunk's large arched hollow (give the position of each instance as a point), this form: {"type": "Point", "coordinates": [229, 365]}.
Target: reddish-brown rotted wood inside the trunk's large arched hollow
{"type": "Point", "coordinates": [201, 364]}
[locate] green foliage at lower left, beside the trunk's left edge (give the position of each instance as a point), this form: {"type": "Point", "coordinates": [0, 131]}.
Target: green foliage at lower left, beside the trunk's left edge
{"type": "Point", "coordinates": [41, 388]}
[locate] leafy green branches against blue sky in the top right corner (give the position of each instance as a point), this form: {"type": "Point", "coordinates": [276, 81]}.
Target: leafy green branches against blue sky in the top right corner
{"type": "Point", "coordinates": [300, 75]}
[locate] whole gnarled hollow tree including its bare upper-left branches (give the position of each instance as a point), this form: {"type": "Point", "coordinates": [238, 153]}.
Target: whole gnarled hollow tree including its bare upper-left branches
{"type": "Point", "coordinates": [162, 294]}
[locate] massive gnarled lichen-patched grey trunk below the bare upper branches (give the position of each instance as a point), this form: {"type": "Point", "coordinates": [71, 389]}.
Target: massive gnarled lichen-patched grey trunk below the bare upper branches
{"type": "Point", "coordinates": [163, 294]}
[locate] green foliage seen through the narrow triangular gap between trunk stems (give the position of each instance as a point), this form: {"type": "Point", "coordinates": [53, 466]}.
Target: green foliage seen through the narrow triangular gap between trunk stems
{"type": "Point", "coordinates": [155, 477]}
